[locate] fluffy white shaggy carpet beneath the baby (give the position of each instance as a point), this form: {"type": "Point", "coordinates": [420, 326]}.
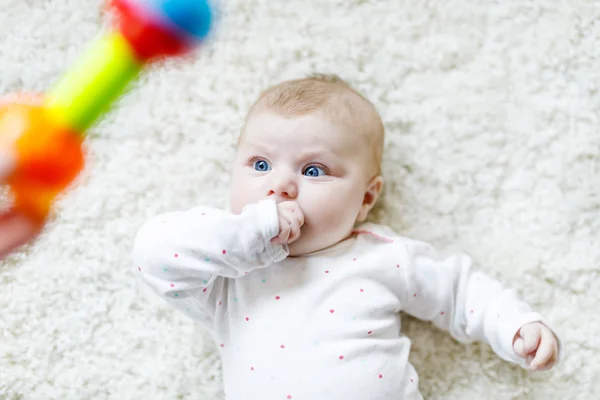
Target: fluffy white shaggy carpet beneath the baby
{"type": "Point", "coordinates": [492, 148]}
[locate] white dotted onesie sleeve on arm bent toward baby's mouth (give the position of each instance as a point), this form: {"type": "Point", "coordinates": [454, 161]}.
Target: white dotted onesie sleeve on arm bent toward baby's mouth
{"type": "Point", "coordinates": [179, 255]}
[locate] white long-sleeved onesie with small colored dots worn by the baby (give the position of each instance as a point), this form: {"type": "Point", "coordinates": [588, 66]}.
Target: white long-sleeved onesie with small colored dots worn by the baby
{"type": "Point", "coordinates": [325, 325]}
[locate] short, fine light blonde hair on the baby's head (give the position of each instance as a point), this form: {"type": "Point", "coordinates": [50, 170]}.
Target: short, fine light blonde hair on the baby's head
{"type": "Point", "coordinates": [335, 98]}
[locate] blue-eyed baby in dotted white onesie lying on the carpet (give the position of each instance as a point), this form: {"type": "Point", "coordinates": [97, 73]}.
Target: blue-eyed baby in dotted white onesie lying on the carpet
{"type": "Point", "coordinates": [302, 296]}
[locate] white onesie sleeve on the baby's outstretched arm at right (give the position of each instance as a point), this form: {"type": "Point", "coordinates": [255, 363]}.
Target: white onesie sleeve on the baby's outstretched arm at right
{"type": "Point", "coordinates": [468, 304]}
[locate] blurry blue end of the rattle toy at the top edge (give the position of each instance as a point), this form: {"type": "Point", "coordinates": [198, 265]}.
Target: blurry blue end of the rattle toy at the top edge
{"type": "Point", "coordinates": [191, 16]}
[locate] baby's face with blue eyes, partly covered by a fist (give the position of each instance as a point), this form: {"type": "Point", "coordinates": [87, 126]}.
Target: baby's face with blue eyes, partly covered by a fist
{"type": "Point", "coordinates": [308, 159]}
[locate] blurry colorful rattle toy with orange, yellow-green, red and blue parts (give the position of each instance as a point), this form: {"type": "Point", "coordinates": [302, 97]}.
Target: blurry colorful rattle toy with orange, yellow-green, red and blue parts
{"type": "Point", "coordinates": [41, 145]}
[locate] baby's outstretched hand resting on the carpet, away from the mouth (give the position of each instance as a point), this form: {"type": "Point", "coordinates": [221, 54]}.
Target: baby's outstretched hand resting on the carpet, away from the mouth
{"type": "Point", "coordinates": [537, 344]}
